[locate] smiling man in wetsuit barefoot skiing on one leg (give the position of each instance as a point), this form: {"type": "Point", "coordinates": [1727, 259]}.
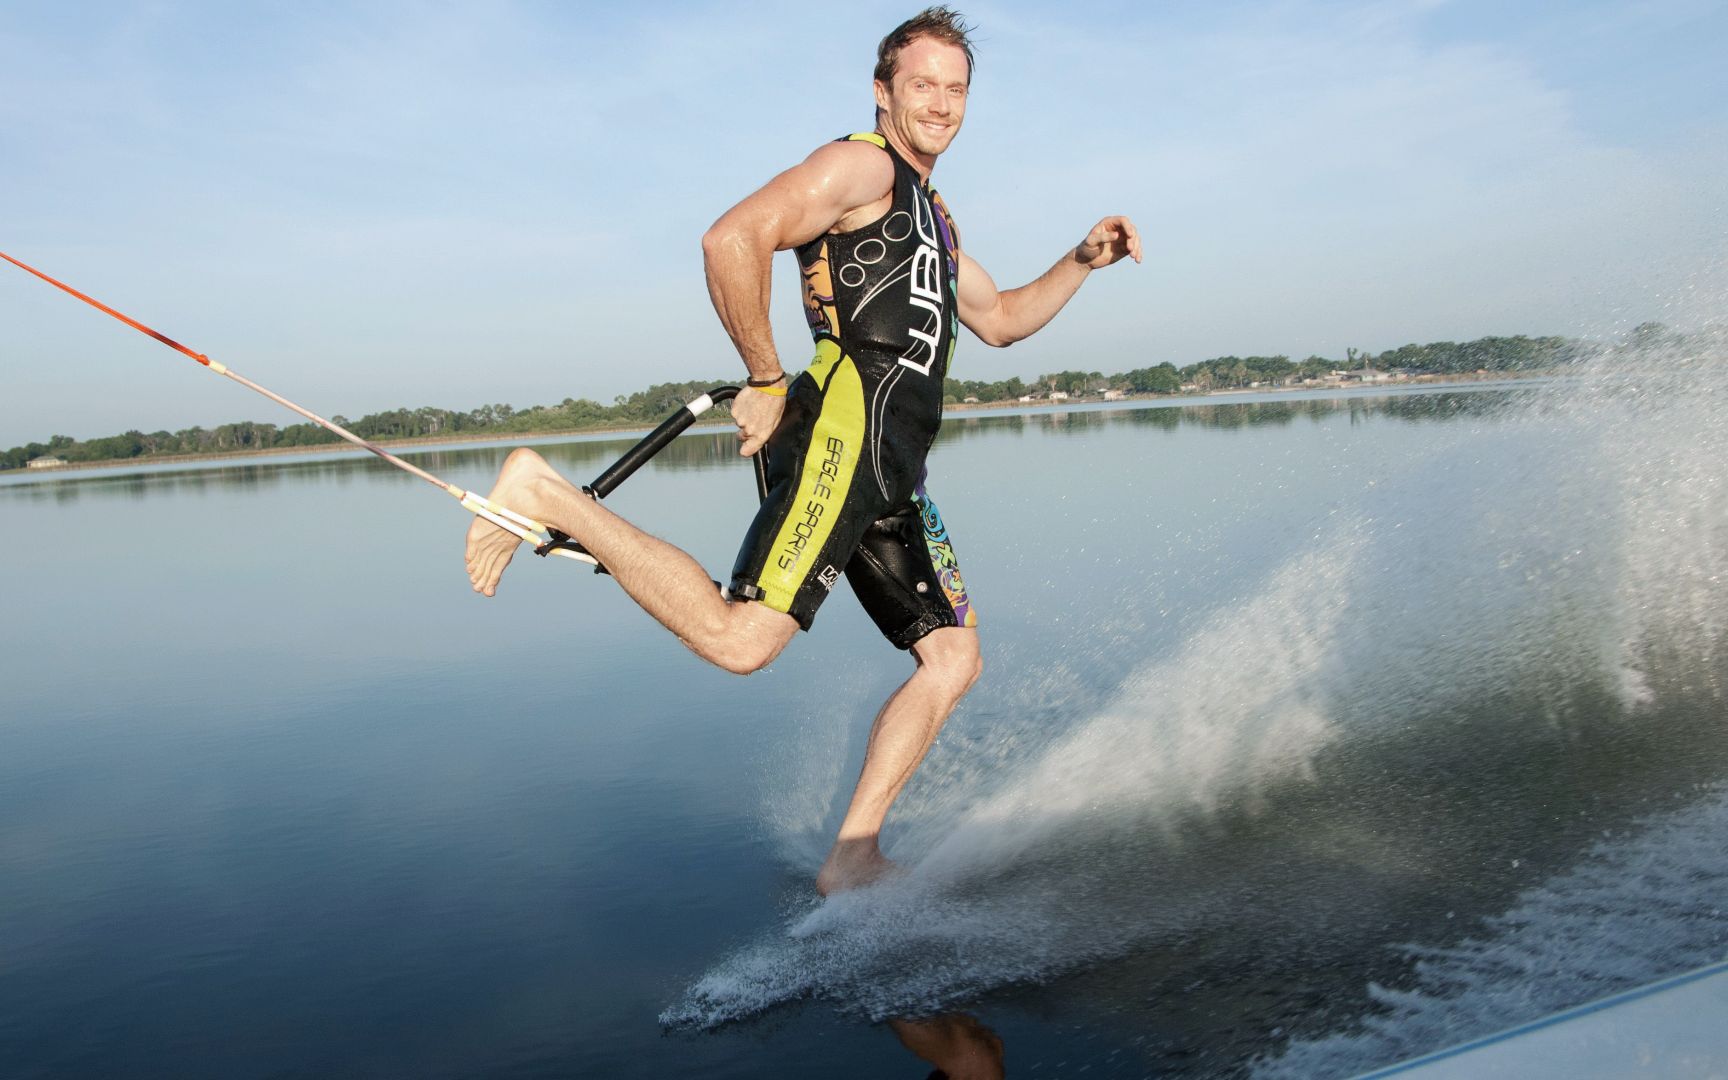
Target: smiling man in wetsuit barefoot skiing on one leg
{"type": "Point", "coordinates": [887, 289]}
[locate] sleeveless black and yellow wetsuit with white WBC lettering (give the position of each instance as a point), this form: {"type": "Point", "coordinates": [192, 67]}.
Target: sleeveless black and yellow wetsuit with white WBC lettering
{"type": "Point", "coordinates": [846, 466]}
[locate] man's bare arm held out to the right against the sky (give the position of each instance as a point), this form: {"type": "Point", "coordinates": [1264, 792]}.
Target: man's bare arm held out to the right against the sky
{"type": "Point", "coordinates": [1001, 319]}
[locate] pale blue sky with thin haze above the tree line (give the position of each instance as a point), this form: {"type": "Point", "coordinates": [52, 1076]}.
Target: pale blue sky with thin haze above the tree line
{"type": "Point", "coordinates": [367, 206]}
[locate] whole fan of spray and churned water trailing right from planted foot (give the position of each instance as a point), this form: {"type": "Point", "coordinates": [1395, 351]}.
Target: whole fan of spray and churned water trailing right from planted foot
{"type": "Point", "coordinates": [1542, 578]}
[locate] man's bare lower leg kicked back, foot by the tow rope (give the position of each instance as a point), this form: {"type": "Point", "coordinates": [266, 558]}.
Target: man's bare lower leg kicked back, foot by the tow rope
{"type": "Point", "coordinates": [668, 583]}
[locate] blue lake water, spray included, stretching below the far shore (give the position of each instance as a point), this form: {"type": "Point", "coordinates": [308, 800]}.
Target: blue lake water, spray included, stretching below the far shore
{"type": "Point", "coordinates": [1316, 734]}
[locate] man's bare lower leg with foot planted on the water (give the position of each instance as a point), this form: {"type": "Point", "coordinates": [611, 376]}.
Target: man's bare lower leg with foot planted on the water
{"type": "Point", "coordinates": [905, 730]}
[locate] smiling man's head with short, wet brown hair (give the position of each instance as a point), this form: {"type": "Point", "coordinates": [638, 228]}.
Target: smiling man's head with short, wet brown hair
{"type": "Point", "coordinates": [924, 72]}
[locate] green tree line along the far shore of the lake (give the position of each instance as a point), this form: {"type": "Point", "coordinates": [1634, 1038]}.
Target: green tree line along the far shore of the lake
{"type": "Point", "coordinates": [658, 402]}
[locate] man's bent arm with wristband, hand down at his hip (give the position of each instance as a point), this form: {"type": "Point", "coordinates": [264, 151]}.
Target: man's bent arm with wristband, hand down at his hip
{"type": "Point", "coordinates": [797, 206]}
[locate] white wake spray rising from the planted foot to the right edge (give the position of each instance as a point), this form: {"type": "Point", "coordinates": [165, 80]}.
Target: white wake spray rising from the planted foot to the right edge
{"type": "Point", "coordinates": [1560, 549]}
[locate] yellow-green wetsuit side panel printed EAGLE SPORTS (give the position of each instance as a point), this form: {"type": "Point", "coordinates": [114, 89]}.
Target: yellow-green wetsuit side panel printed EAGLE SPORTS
{"type": "Point", "coordinates": [837, 442]}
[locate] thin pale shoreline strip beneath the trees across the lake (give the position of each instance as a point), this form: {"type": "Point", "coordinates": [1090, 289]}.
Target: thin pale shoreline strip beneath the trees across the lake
{"type": "Point", "coordinates": [723, 419]}
